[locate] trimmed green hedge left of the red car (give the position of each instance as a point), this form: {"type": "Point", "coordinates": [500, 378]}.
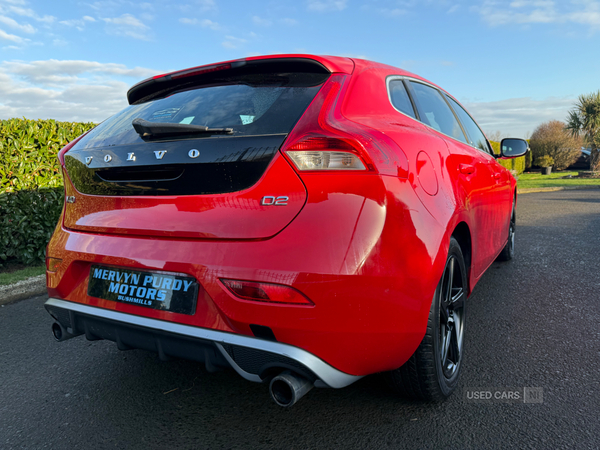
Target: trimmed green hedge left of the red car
{"type": "Point", "coordinates": [31, 193]}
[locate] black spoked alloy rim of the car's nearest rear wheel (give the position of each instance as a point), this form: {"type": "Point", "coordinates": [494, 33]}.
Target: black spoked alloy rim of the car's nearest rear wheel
{"type": "Point", "coordinates": [451, 317]}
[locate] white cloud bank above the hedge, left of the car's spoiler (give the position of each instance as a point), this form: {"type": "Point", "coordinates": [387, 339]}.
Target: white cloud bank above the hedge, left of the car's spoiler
{"type": "Point", "coordinates": [65, 90]}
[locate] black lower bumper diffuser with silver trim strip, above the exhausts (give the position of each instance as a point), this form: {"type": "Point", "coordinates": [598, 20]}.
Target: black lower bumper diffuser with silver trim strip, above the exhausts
{"type": "Point", "coordinates": [254, 359]}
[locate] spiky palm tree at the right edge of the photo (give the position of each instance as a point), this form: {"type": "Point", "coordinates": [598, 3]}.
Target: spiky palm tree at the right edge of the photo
{"type": "Point", "coordinates": [584, 119]}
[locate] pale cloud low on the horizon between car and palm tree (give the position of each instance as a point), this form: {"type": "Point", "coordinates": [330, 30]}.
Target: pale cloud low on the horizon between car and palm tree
{"type": "Point", "coordinates": [519, 117]}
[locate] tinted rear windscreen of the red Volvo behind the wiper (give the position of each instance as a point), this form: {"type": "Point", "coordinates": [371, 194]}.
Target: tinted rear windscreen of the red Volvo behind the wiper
{"type": "Point", "coordinates": [254, 104]}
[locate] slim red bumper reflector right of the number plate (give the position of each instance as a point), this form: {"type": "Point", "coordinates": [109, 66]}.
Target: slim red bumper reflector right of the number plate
{"type": "Point", "coordinates": [266, 292]}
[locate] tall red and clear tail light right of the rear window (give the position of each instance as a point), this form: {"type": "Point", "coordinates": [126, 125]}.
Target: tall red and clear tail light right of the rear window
{"type": "Point", "coordinates": [324, 140]}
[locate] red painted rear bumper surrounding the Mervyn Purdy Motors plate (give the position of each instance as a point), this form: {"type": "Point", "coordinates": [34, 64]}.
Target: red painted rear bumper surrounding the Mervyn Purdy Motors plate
{"type": "Point", "coordinates": [358, 258]}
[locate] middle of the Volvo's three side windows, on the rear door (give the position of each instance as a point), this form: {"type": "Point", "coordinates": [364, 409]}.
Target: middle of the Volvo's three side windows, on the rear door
{"type": "Point", "coordinates": [435, 112]}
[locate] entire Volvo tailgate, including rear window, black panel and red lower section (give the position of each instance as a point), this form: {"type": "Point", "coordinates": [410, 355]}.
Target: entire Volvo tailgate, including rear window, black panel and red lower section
{"type": "Point", "coordinates": [221, 185]}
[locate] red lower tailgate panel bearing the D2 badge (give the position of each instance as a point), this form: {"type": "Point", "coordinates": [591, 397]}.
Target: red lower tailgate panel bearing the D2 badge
{"type": "Point", "coordinates": [248, 214]}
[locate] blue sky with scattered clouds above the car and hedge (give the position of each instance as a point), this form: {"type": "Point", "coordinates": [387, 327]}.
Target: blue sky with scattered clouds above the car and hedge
{"type": "Point", "coordinates": [513, 64]}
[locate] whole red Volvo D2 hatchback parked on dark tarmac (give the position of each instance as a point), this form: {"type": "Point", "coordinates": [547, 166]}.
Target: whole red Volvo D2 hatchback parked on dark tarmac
{"type": "Point", "coordinates": [305, 220]}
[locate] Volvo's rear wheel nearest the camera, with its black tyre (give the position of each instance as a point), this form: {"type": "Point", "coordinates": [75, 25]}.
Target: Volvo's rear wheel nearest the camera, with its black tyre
{"type": "Point", "coordinates": [432, 371]}
